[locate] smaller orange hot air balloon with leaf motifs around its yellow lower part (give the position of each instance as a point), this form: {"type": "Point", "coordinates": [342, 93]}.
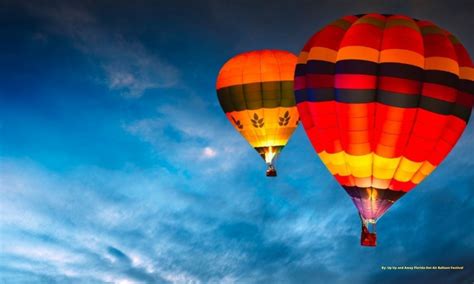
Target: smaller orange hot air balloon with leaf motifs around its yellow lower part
{"type": "Point", "coordinates": [255, 90]}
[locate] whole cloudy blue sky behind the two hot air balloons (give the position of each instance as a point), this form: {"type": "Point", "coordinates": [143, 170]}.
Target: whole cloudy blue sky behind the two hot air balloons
{"type": "Point", "coordinates": [117, 164]}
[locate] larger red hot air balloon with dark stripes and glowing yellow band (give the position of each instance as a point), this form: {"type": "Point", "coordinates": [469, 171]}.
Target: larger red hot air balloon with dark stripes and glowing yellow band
{"type": "Point", "coordinates": [383, 100]}
